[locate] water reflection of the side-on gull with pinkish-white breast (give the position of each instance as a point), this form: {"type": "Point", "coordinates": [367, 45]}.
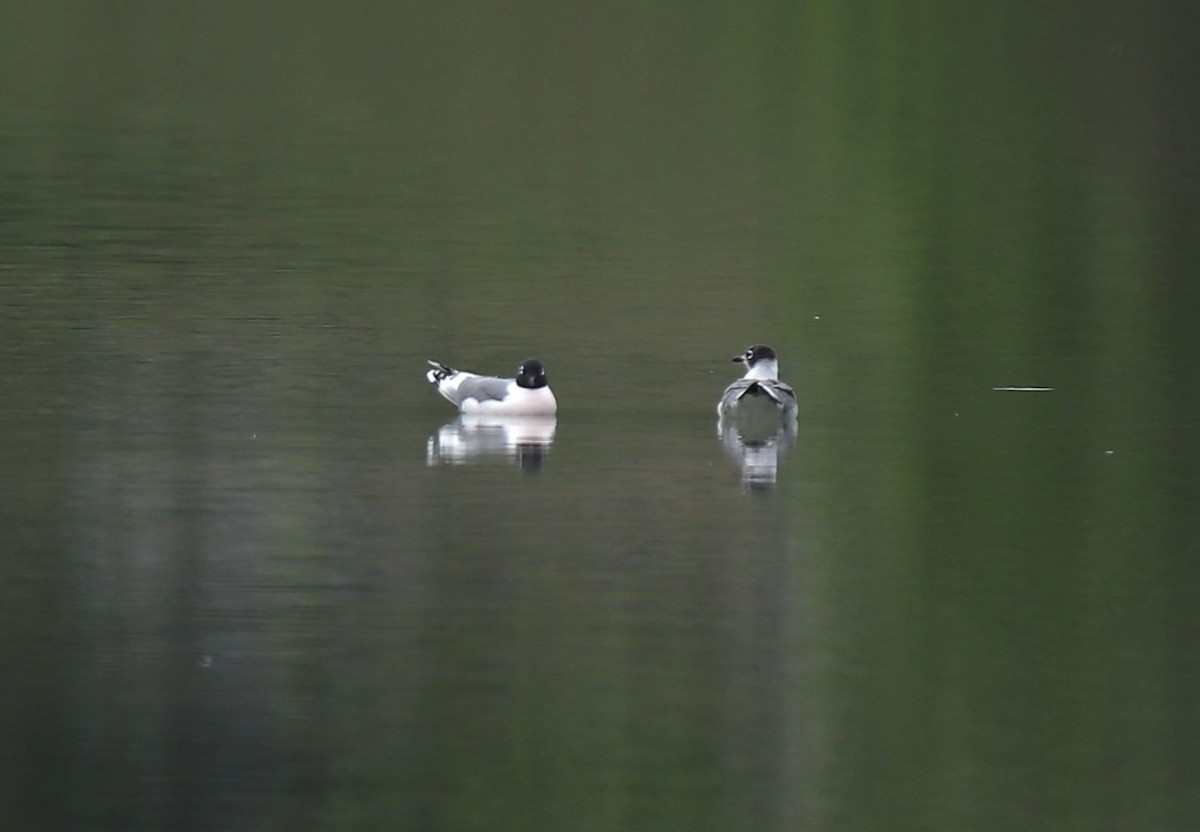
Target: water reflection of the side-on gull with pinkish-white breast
{"type": "Point", "coordinates": [481, 438]}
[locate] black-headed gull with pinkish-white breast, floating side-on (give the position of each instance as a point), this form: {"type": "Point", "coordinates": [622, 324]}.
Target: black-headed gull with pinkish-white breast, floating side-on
{"type": "Point", "coordinates": [529, 394]}
